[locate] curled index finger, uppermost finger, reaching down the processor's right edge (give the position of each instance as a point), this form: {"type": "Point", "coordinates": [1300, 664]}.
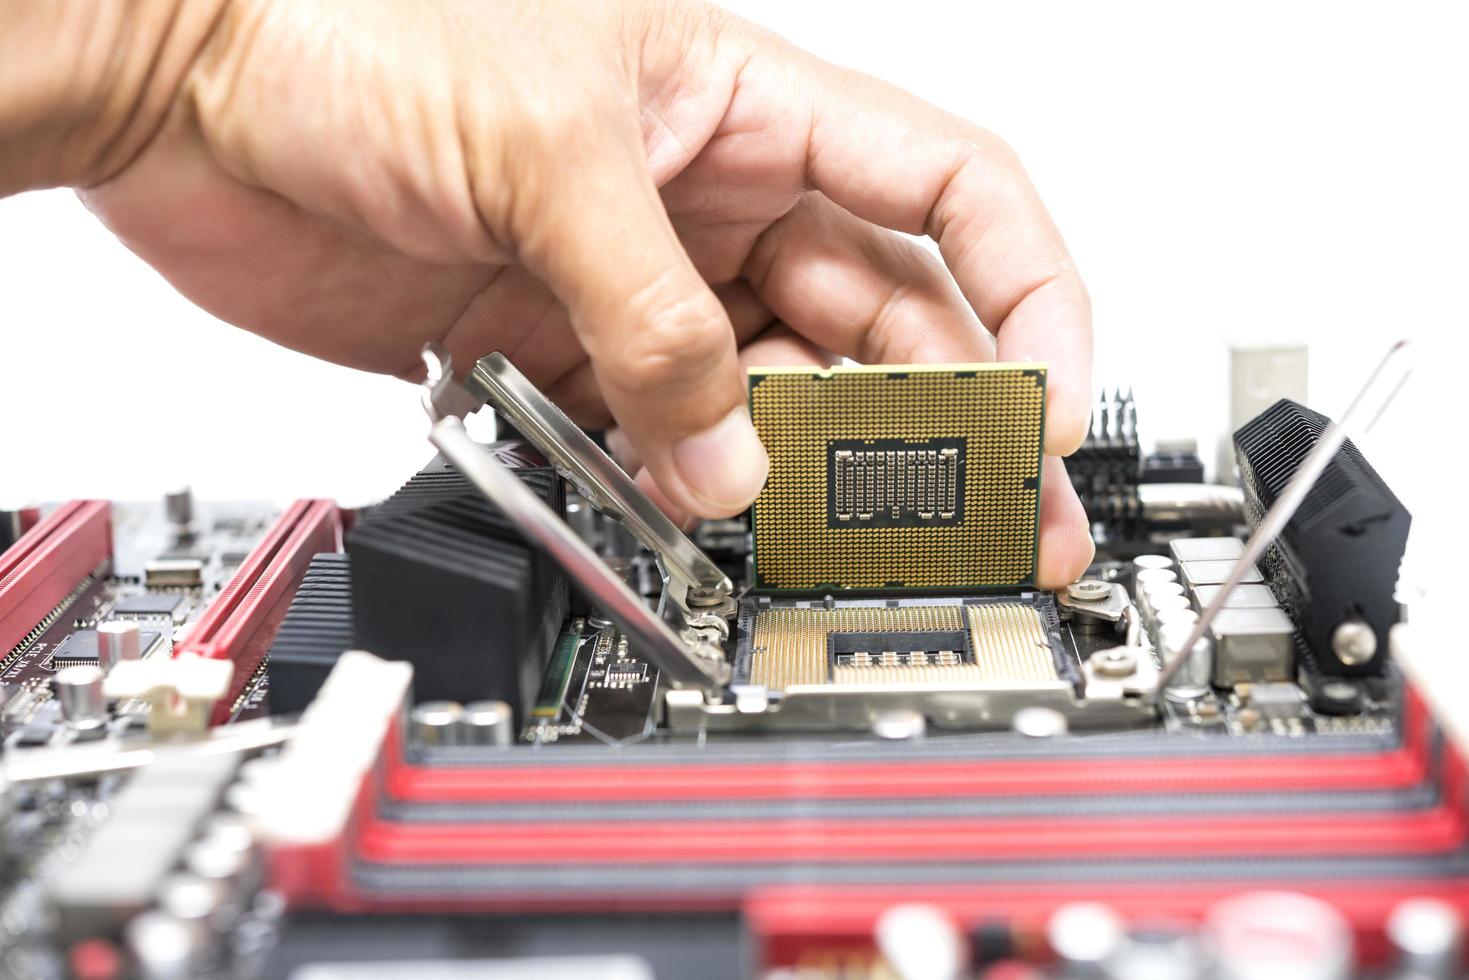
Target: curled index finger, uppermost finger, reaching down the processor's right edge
{"type": "Point", "coordinates": [900, 162]}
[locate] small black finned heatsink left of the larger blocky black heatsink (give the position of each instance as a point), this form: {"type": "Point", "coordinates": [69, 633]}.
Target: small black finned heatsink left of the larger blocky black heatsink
{"type": "Point", "coordinates": [315, 633]}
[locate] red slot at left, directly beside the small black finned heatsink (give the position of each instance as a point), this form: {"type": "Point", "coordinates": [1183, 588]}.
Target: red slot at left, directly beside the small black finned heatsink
{"type": "Point", "coordinates": [242, 622]}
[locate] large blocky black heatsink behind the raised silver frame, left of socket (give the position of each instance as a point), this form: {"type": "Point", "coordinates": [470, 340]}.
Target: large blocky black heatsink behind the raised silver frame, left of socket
{"type": "Point", "coordinates": [441, 580]}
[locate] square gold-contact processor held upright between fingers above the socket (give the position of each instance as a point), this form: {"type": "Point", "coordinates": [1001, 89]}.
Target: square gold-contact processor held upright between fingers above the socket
{"type": "Point", "coordinates": [898, 480]}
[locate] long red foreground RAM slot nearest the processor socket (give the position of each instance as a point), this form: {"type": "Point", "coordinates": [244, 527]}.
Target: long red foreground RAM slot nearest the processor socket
{"type": "Point", "coordinates": [1404, 766]}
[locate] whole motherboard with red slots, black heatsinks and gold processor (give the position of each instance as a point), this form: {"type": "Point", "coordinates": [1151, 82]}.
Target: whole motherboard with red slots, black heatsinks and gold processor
{"type": "Point", "coordinates": [512, 722]}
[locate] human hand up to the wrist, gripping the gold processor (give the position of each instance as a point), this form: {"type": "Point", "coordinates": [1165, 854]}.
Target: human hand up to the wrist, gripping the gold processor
{"type": "Point", "coordinates": [632, 201]}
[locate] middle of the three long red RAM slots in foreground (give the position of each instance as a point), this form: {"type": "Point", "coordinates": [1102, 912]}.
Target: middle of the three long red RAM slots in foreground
{"type": "Point", "coordinates": [1434, 831]}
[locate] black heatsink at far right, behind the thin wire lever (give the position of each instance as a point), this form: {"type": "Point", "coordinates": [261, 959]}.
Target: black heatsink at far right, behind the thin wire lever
{"type": "Point", "coordinates": [1339, 558]}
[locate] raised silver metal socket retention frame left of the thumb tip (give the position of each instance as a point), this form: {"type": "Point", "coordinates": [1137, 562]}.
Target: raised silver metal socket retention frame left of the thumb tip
{"type": "Point", "coordinates": [685, 644]}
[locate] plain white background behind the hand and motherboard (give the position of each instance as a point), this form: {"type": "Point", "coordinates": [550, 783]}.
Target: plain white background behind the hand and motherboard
{"type": "Point", "coordinates": [1226, 176]}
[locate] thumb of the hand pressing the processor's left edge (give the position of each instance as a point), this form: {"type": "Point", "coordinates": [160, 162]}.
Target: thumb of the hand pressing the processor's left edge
{"type": "Point", "coordinates": [662, 346]}
